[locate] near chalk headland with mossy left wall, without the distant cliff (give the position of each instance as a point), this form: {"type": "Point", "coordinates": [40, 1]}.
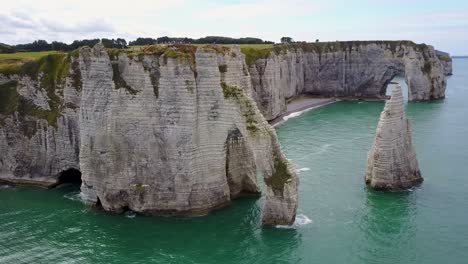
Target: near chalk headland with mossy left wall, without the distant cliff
{"type": "Point", "coordinates": [168, 132]}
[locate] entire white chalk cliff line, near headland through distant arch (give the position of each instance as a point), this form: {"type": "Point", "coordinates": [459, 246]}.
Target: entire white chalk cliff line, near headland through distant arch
{"type": "Point", "coordinates": [179, 130]}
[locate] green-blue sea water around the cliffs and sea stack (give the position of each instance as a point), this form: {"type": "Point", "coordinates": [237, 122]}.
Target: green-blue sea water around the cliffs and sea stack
{"type": "Point", "coordinates": [349, 223]}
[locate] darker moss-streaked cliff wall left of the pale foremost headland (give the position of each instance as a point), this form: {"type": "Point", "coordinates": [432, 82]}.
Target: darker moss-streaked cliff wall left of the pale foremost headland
{"type": "Point", "coordinates": [39, 131]}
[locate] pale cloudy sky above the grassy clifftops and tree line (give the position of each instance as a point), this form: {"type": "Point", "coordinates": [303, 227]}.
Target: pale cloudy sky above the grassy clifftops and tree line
{"type": "Point", "coordinates": [443, 24]}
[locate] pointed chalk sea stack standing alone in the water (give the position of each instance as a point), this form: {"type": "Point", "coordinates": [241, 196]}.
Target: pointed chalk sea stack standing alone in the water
{"type": "Point", "coordinates": [392, 163]}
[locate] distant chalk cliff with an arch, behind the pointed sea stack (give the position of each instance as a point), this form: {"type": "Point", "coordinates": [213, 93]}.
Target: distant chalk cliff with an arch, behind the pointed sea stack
{"type": "Point", "coordinates": [345, 69]}
